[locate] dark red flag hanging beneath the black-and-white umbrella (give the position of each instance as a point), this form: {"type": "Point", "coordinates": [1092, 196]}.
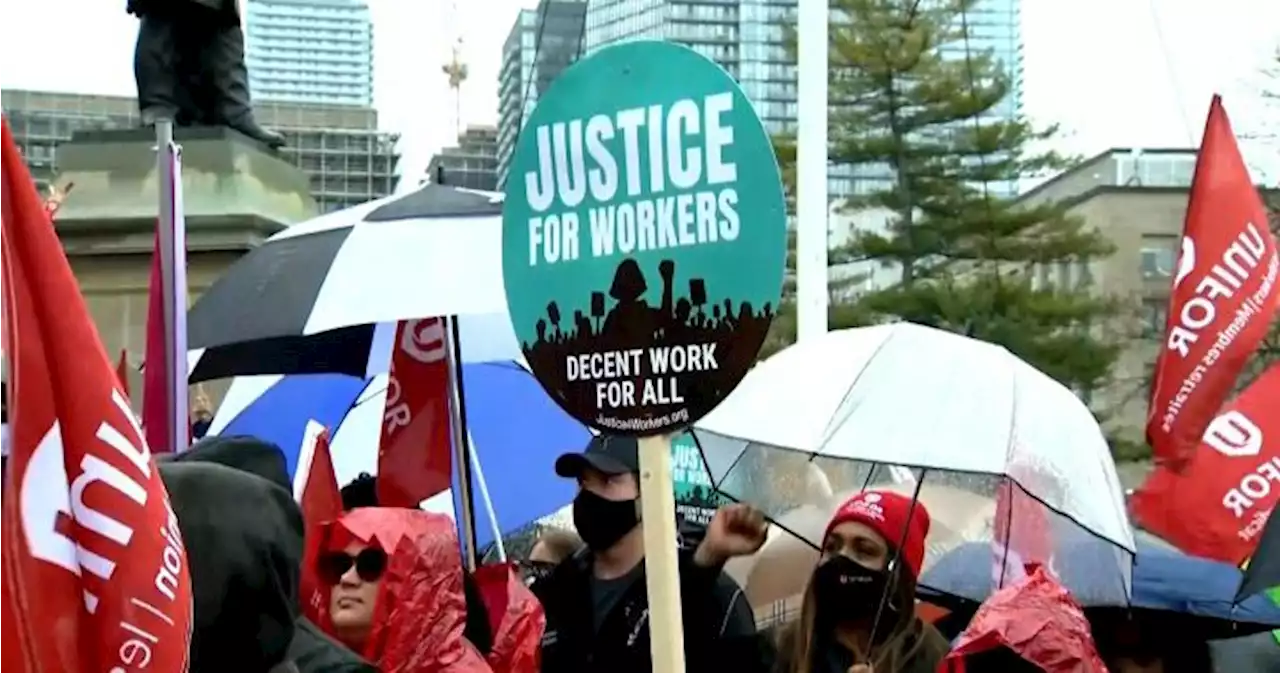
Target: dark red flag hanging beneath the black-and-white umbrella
{"type": "Point", "coordinates": [414, 459]}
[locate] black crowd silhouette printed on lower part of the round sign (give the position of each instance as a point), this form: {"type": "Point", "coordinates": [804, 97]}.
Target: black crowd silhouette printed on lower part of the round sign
{"type": "Point", "coordinates": [623, 319]}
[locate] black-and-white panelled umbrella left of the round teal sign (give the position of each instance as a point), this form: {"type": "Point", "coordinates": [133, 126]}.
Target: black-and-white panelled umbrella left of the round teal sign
{"type": "Point", "coordinates": [308, 300]}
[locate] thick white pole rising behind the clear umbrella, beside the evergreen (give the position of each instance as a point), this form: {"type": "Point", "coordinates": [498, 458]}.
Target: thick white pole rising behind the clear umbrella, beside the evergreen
{"type": "Point", "coordinates": [812, 297]}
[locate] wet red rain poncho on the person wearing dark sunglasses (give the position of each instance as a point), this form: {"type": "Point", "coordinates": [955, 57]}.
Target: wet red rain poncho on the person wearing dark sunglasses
{"type": "Point", "coordinates": [422, 608]}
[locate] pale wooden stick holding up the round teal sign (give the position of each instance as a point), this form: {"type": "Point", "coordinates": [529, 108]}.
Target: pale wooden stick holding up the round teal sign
{"type": "Point", "coordinates": [661, 564]}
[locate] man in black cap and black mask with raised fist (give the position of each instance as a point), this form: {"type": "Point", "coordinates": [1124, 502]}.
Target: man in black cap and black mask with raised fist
{"type": "Point", "coordinates": [596, 602]}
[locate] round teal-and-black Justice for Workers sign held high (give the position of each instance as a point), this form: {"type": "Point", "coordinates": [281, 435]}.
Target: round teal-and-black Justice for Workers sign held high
{"type": "Point", "coordinates": [644, 239]}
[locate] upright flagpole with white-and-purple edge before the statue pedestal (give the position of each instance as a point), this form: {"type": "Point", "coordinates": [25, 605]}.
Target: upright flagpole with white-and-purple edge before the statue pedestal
{"type": "Point", "coordinates": [173, 274]}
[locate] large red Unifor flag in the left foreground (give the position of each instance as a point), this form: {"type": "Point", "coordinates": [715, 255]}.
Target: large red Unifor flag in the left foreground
{"type": "Point", "coordinates": [93, 558]}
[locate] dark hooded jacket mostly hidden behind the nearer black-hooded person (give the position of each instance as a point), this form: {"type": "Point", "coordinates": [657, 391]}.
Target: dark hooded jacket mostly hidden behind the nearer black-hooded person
{"type": "Point", "coordinates": [312, 651]}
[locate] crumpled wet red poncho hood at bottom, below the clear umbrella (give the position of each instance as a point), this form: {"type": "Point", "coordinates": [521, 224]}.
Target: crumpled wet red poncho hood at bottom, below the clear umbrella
{"type": "Point", "coordinates": [1037, 620]}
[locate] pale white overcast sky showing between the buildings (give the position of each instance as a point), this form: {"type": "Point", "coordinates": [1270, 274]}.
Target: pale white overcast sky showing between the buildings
{"type": "Point", "coordinates": [1116, 74]}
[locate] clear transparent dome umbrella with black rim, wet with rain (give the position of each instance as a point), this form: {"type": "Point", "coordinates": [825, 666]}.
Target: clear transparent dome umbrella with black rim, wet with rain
{"type": "Point", "coordinates": [902, 406]}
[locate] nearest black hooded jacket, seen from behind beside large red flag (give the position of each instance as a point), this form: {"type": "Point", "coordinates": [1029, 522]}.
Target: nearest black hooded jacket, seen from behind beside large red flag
{"type": "Point", "coordinates": [244, 539]}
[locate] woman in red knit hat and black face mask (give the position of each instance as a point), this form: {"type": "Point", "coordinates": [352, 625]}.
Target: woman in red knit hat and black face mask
{"type": "Point", "coordinates": [871, 560]}
